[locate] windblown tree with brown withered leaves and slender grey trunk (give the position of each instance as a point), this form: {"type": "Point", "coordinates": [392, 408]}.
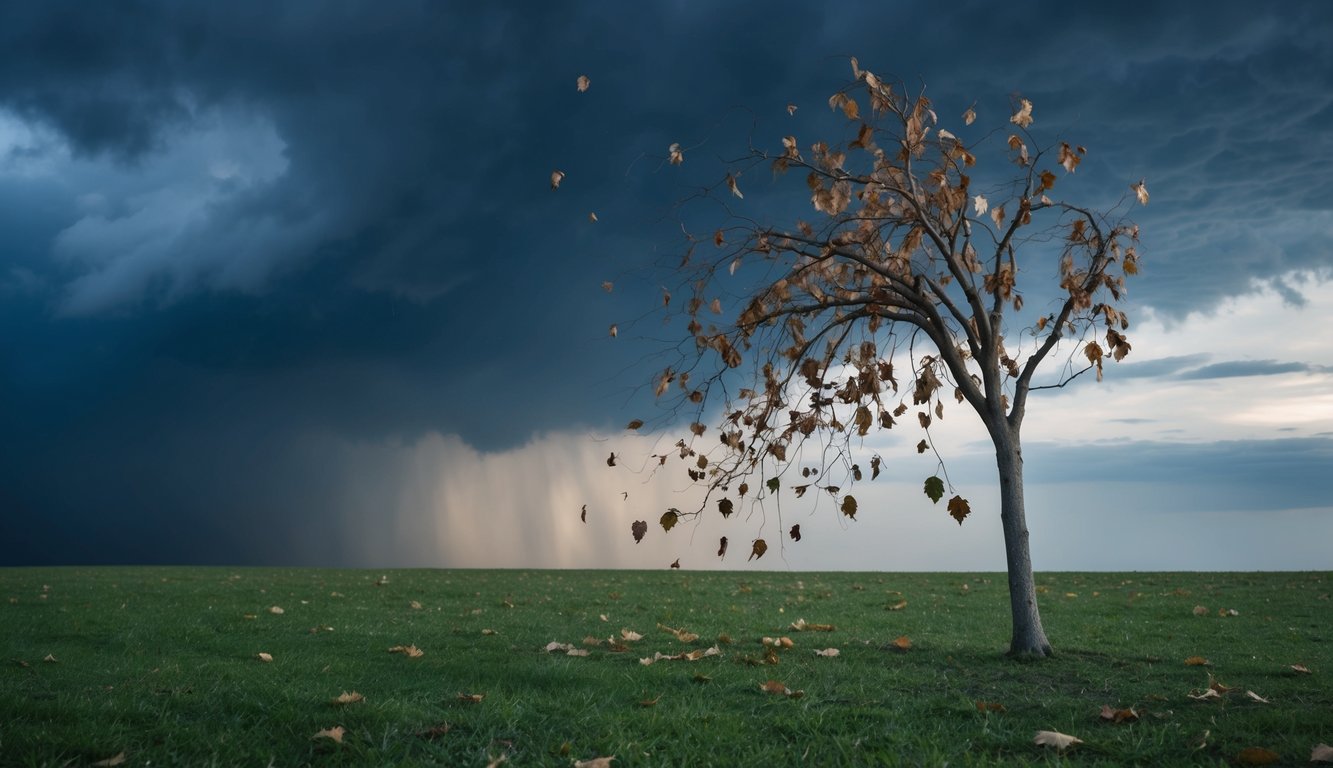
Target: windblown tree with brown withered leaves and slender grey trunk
{"type": "Point", "coordinates": [906, 285]}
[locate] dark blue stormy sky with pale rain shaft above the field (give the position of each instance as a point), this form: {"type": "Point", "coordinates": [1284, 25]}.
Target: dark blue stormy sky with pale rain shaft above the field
{"type": "Point", "coordinates": [289, 285]}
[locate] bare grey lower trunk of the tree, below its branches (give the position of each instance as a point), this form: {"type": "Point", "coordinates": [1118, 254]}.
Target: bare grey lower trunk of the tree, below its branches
{"type": "Point", "coordinates": [1028, 639]}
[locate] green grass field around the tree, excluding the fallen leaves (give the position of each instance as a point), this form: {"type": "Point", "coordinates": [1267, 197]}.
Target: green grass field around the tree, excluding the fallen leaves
{"type": "Point", "coordinates": [161, 665]}
